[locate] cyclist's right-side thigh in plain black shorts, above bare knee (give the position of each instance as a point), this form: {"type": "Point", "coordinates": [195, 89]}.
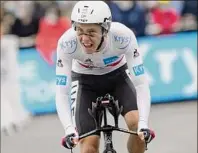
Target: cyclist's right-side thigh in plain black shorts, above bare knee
{"type": "Point", "coordinates": [125, 93]}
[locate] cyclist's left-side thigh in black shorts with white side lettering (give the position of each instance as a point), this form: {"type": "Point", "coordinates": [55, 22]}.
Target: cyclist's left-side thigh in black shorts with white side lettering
{"type": "Point", "coordinates": [83, 96]}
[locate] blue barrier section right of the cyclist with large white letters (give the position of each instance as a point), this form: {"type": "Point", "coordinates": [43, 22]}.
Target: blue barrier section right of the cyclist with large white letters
{"type": "Point", "coordinates": [171, 63]}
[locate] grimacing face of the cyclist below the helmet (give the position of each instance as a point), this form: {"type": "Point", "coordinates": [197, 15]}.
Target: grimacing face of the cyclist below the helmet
{"type": "Point", "coordinates": [89, 36]}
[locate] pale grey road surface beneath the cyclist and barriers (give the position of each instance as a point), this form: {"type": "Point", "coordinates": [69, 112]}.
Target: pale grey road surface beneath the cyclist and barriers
{"type": "Point", "coordinates": [175, 126]}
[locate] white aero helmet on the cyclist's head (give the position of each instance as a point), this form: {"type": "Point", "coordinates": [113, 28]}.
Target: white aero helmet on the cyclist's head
{"type": "Point", "coordinates": [92, 12]}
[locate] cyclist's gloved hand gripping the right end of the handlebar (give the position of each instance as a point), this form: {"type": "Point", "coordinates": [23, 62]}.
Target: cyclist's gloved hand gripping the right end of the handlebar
{"type": "Point", "coordinates": [146, 135]}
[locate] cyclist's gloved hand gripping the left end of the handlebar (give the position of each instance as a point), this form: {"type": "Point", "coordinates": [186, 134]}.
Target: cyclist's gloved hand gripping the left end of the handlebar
{"type": "Point", "coordinates": [71, 139]}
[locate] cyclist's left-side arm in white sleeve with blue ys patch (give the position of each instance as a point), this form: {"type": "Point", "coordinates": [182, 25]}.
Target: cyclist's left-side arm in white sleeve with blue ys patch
{"type": "Point", "coordinates": [63, 81]}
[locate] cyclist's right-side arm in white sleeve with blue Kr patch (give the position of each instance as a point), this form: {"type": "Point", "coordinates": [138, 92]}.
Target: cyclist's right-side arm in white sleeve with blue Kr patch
{"type": "Point", "coordinates": [139, 78]}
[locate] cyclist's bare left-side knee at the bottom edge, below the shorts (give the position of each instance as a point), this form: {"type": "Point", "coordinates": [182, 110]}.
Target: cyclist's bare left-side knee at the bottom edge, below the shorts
{"type": "Point", "coordinates": [89, 144]}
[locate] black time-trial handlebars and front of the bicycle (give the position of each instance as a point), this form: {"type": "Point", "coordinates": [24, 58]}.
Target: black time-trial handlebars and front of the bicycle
{"type": "Point", "coordinates": [106, 129]}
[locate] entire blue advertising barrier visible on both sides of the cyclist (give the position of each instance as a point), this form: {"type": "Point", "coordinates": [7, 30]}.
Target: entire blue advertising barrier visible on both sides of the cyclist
{"type": "Point", "coordinates": [170, 61]}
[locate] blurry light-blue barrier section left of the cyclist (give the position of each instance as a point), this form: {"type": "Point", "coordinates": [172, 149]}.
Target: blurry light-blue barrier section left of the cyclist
{"type": "Point", "coordinates": [37, 82]}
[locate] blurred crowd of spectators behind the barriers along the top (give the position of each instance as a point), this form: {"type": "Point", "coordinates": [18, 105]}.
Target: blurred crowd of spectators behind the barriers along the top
{"type": "Point", "coordinates": [40, 23]}
